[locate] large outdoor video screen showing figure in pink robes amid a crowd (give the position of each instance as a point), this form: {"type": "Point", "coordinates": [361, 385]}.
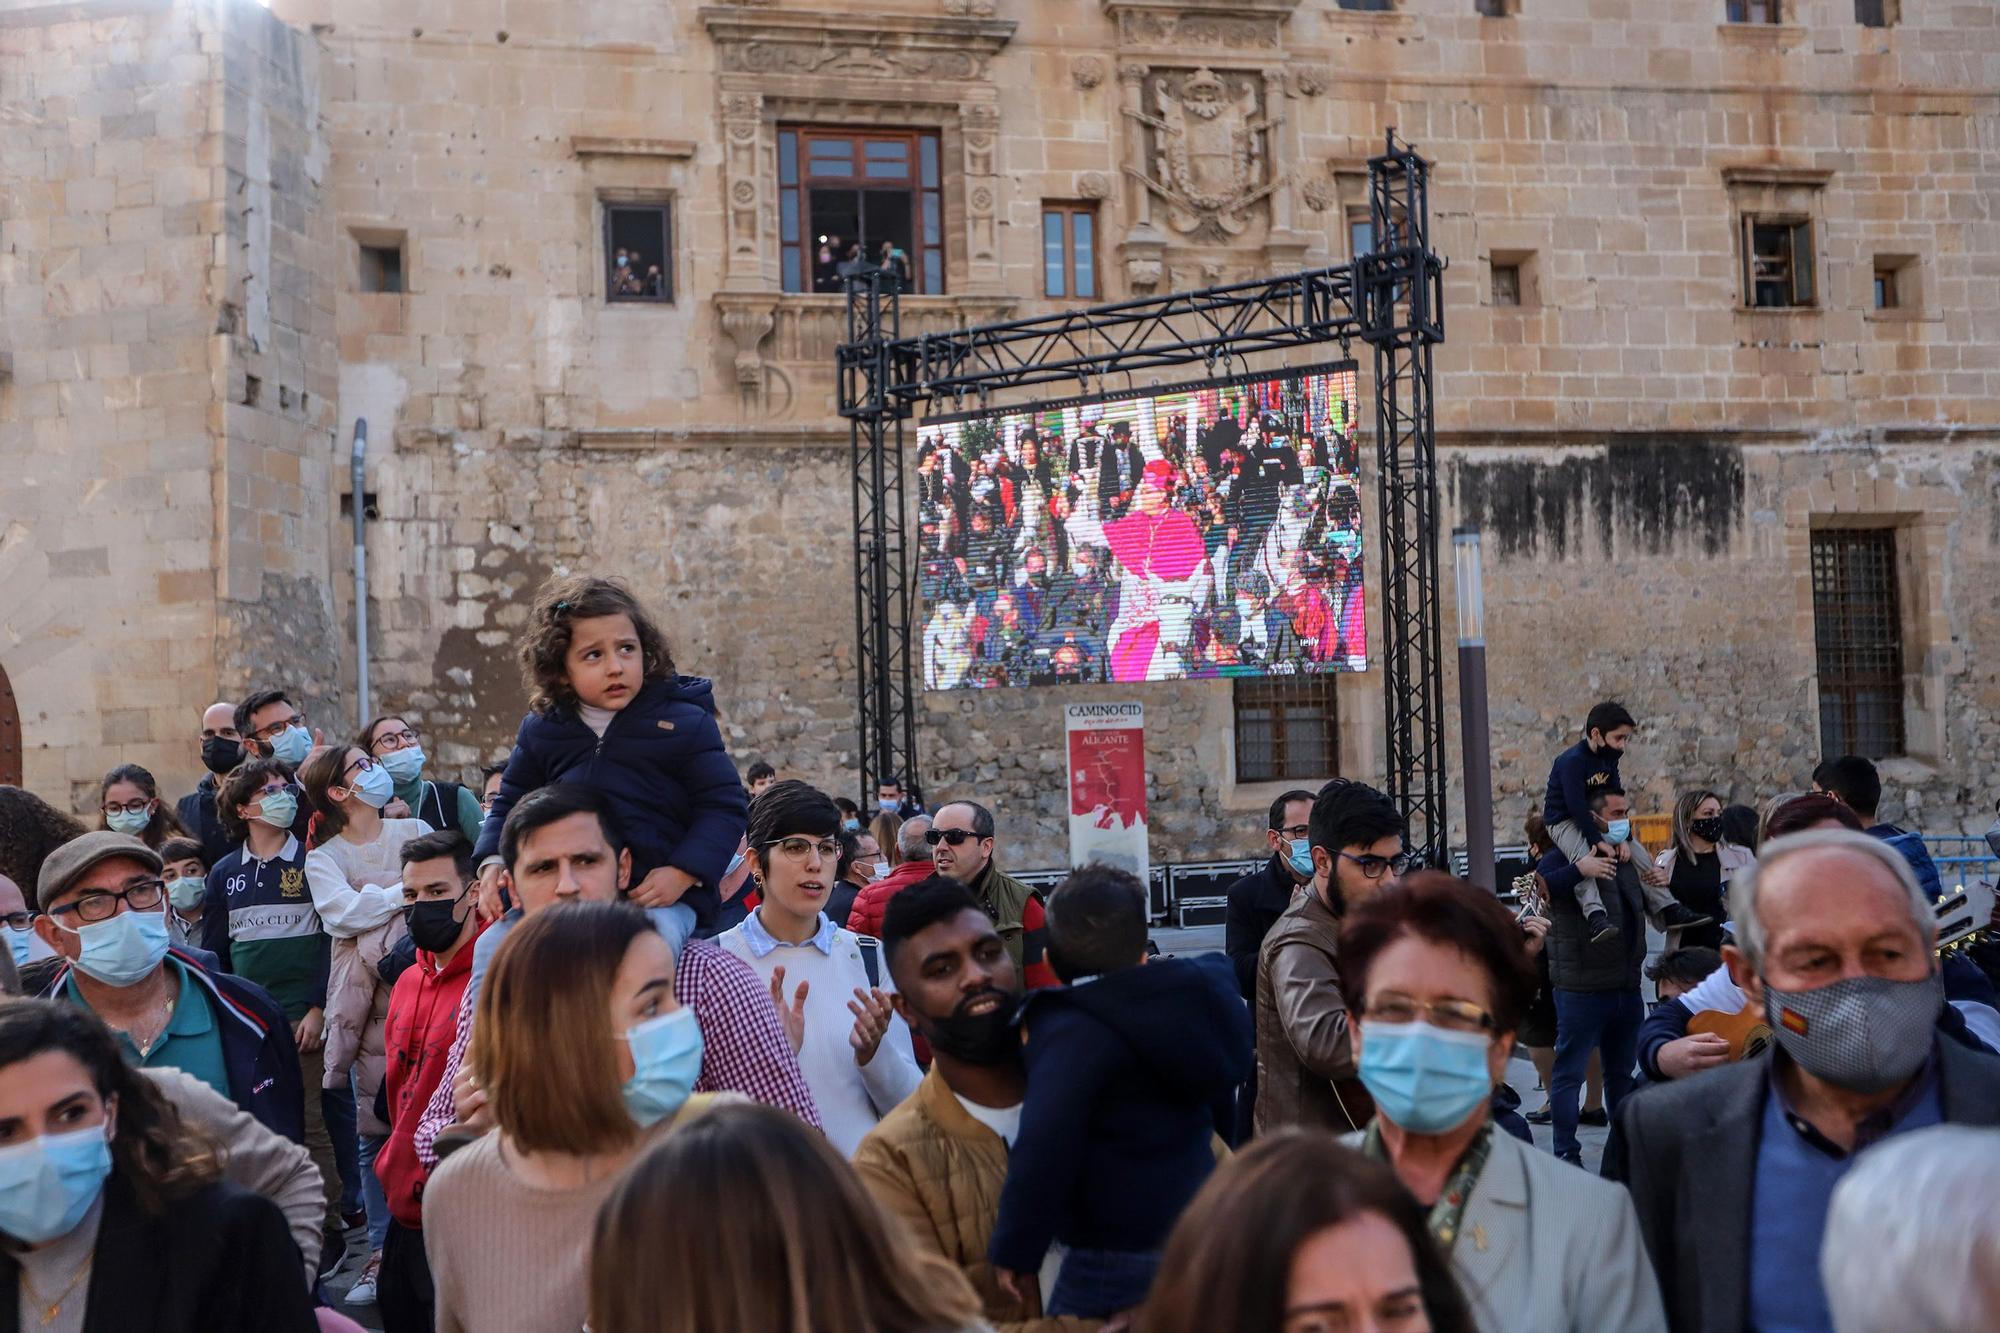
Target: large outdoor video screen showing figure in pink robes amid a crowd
{"type": "Point", "coordinates": [1177, 535]}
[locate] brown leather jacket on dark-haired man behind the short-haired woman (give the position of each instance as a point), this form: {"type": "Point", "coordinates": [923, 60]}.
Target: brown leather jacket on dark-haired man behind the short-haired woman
{"type": "Point", "coordinates": [1305, 1062]}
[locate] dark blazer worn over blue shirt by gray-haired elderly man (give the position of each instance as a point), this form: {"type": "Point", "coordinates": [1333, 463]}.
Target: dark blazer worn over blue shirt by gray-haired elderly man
{"type": "Point", "coordinates": [1689, 1154]}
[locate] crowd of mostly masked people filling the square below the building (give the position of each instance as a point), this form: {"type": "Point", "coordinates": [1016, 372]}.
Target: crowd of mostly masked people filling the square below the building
{"type": "Point", "coordinates": [627, 1042]}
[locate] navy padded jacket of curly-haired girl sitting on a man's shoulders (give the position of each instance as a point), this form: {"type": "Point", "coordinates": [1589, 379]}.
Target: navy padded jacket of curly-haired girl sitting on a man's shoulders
{"type": "Point", "coordinates": [665, 772]}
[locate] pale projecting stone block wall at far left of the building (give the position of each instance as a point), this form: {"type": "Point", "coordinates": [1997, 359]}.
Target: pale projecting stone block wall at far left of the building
{"type": "Point", "coordinates": [159, 527]}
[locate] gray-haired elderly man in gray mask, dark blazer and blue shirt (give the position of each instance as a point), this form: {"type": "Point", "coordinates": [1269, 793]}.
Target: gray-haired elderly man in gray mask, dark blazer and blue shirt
{"type": "Point", "coordinates": [1733, 1170]}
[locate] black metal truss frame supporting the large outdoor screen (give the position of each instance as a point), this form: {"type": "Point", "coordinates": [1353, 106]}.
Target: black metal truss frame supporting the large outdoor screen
{"type": "Point", "coordinates": [1391, 299]}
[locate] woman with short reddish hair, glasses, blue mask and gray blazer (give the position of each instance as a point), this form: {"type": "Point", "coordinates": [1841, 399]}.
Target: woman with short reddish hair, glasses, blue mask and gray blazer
{"type": "Point", "coordinates": [1439, 978]}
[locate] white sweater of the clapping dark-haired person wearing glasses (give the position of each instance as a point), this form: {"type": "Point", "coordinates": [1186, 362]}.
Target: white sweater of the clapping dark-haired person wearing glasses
{"type": "Point", "coordinates": [851, 1098]}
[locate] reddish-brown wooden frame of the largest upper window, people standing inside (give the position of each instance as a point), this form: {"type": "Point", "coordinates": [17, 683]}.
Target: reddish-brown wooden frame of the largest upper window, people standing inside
{"type": "Point", "coordinates": [797, 183]}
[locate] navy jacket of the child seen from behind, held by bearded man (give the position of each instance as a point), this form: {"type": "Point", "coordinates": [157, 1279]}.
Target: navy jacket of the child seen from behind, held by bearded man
{"type": "Point", "coordinates": [1129, 1078]}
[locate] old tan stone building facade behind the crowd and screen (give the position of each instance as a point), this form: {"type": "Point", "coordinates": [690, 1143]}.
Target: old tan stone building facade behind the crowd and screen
{"type": "Point", "coordinates": [233, 233]}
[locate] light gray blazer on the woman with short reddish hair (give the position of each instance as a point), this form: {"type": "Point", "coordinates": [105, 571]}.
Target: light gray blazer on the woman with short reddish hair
{"type": "Point", "coordinates": [1547, 1248]}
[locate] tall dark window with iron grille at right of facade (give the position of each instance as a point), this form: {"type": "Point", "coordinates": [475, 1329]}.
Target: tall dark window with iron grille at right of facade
{"type": "Point", "coordinates": [1859, 641]}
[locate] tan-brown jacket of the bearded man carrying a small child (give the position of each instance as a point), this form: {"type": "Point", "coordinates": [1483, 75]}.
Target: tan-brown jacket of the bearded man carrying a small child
{"type": "Point", "coordinates": [941, 1172]}
